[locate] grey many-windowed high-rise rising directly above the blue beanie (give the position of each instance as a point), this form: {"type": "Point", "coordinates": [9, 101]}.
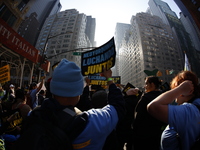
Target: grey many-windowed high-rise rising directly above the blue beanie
{"type": "Point", "coordinates": [62, 34]}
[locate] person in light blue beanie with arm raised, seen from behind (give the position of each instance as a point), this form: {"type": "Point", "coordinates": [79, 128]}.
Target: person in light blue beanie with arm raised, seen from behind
{"type": "Point", "coordinates": [66, 86]}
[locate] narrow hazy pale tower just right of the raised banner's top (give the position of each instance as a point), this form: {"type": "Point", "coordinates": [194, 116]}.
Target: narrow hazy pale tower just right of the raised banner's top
{"type": "Point", "coordinates": [120, 30]}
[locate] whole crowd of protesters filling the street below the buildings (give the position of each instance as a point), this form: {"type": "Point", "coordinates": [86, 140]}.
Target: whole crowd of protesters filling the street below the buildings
{"type": "Point", "coordinates": [134, 120]}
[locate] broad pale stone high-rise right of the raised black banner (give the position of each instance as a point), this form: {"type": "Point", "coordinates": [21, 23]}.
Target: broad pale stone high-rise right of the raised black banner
{"type": "Point", "coordinates": [148, 45]}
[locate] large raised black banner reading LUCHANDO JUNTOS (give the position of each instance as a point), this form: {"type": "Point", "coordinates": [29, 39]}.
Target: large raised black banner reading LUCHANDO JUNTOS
{"type": "Point", "coordinates": [93, 62]}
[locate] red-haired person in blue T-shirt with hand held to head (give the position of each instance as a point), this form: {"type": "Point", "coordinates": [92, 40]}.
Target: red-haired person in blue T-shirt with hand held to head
{"type": "Point", "coordinates": [183, 119]}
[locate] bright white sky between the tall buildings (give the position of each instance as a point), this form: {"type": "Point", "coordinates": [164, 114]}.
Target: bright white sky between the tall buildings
{"type": "Point", "coordinates": [109, 12]}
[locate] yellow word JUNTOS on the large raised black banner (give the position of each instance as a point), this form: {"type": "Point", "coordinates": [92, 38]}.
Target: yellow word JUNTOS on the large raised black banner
{"type": "Point", "coordinates": [98, 68]}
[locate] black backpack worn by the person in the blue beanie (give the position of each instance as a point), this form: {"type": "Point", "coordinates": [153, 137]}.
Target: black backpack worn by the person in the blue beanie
{"type": "Point", "coordinates": [48, 130]}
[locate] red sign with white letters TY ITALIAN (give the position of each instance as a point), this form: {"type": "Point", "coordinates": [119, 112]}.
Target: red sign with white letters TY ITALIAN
{"type": "Point", "coordinates": [12, 40]}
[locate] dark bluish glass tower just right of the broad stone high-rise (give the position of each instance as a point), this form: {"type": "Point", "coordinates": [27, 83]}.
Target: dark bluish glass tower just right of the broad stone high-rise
{"type": "Point", "coordinates": [161, 9]}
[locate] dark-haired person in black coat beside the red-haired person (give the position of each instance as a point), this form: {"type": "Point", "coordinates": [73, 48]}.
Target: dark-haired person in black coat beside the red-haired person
{"type": "Point", "coordinates": [147, 130]}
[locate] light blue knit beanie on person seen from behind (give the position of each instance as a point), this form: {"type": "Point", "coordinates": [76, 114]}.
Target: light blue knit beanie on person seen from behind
{"type": "Point", "coordinates": [67, 80]}
